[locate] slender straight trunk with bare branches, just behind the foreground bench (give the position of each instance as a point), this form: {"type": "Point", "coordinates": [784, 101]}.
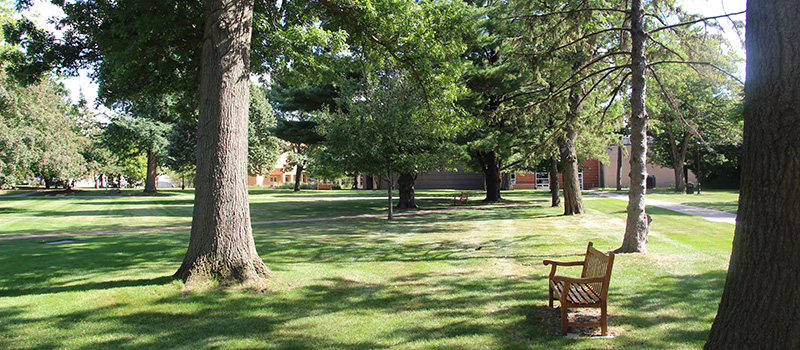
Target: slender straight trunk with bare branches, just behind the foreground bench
{"type": "Point", "coordinates": [637, 226]}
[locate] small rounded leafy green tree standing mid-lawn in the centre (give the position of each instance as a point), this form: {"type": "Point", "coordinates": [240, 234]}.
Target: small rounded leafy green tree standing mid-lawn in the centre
{"type": "Point", "coordinates": [386, 132]}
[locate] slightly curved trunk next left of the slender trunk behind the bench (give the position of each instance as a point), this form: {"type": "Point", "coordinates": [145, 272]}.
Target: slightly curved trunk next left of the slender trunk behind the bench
{"type": "Point", "coordinates": [573, 201]}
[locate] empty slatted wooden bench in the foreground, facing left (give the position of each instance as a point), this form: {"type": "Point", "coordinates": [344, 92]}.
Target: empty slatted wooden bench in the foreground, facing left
{"type": "Point", "coordinates": [591, 290]}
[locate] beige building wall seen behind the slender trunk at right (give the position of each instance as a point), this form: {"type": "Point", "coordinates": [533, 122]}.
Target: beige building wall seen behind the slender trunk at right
{"type": "Point", "coordinates": [665, 177]}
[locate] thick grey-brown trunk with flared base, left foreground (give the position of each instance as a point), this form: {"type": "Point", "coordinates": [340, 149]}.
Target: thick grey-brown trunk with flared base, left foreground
{"type": "Point", "coordinates": [221, 245]}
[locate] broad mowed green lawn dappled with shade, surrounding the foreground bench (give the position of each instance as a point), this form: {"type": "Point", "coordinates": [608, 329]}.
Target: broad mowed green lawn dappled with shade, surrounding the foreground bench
{"type": "Point", "coordinates": [465, 279]}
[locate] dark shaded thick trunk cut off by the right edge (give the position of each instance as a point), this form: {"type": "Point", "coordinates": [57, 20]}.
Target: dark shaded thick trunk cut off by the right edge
{"type": "Point", "coordinates": [760, 307]}
